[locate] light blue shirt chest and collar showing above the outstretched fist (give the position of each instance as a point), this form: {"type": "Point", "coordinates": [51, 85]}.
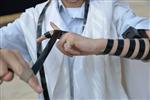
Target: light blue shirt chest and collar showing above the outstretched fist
{"type": "Point", "coordinates": [73, 17]}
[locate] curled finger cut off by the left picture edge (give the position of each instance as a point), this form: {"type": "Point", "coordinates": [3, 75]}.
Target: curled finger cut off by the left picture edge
{"type": "Point", "coordinates": [3, 68]}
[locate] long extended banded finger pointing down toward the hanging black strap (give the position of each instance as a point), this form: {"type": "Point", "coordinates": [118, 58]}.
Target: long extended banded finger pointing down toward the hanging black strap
{"type": "Point", "coordinates": [18, 65]}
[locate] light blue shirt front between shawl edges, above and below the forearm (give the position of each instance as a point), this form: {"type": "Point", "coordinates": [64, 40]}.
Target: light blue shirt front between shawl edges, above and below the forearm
{"type": "Point", "coordinates": [73, 18]}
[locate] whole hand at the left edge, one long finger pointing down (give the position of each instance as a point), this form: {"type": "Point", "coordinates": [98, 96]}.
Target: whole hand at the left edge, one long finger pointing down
{"type": "Point", "coordinates": [12, 62]}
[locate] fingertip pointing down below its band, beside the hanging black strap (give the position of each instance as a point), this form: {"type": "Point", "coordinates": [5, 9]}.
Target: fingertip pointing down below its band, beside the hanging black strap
{"type": "Point", "coordinates": [33, 82]}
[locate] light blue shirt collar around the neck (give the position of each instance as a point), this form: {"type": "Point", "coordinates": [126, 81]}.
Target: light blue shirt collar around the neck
{"type": "Point", "coordinates": [79, 14]}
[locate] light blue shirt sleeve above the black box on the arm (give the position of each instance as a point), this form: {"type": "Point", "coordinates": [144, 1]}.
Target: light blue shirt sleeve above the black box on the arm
{"type": "Point", "coordinates": [124, 17]}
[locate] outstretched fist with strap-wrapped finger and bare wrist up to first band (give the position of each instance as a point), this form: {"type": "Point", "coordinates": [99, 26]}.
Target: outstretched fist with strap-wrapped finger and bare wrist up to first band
{"type": "Point", "coordinates": [72, 44]}
